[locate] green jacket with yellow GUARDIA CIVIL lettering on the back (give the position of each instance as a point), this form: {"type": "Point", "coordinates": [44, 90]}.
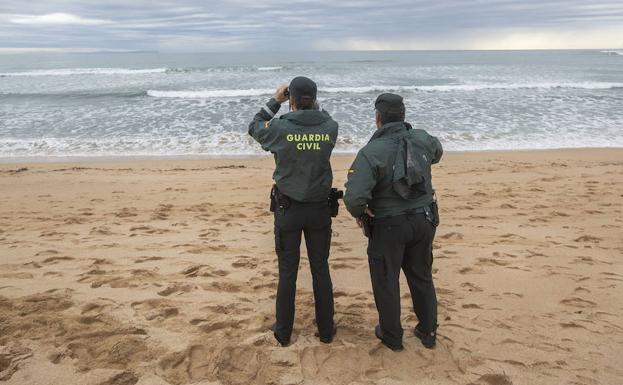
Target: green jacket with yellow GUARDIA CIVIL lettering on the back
{"type": "Point", "coordinates": [301, 142]}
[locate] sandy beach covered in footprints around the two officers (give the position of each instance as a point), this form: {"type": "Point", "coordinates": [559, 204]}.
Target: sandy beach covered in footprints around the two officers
{"type": "Point", "coordinates": [163, 272]}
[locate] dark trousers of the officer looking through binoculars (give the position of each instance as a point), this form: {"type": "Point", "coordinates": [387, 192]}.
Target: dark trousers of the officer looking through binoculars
{"type": "Point", "coordinates": [314, 221]}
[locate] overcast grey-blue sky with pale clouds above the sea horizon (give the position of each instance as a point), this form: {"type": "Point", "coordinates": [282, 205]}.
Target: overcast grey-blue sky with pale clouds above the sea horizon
{"type": "Point", "coordinates": [271, 25]}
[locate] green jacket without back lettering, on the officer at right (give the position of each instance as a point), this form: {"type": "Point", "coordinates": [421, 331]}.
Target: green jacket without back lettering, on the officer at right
{"type": "Point", "coordinates": [370, 177]}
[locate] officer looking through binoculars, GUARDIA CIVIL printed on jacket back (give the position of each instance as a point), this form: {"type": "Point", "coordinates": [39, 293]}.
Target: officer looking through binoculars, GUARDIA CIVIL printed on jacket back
{"type": "Point", "coordinates": [301, 141]}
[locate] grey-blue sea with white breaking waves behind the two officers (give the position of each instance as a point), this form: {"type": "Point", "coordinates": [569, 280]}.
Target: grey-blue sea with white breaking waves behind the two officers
{"type": "Point", "coordinates": [144, 104]}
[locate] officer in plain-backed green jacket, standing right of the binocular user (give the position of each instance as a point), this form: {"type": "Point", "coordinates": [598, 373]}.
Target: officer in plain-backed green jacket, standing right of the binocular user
{"type": "Point", "coordinates": [389, 191]}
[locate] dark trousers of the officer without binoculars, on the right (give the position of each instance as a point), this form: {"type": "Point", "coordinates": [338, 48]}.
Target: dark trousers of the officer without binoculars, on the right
{"type": "Point", "coordinates": [402, 242]}
